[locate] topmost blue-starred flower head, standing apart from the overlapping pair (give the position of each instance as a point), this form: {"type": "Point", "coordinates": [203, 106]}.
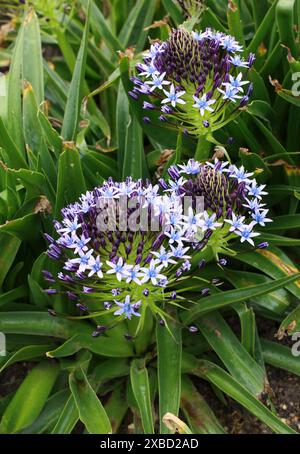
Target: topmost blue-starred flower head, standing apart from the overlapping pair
{"type": "Point", "coordinates": [196, 80]}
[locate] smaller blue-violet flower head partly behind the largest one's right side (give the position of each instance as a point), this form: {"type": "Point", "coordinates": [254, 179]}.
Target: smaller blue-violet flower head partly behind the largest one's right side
{"type": "Point", "coordinates": [231, 204]}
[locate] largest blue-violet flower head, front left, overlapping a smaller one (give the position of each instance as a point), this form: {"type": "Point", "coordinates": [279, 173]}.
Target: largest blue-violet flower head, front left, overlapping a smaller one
{"type": "Point", "coordinates": [101, 258]}
